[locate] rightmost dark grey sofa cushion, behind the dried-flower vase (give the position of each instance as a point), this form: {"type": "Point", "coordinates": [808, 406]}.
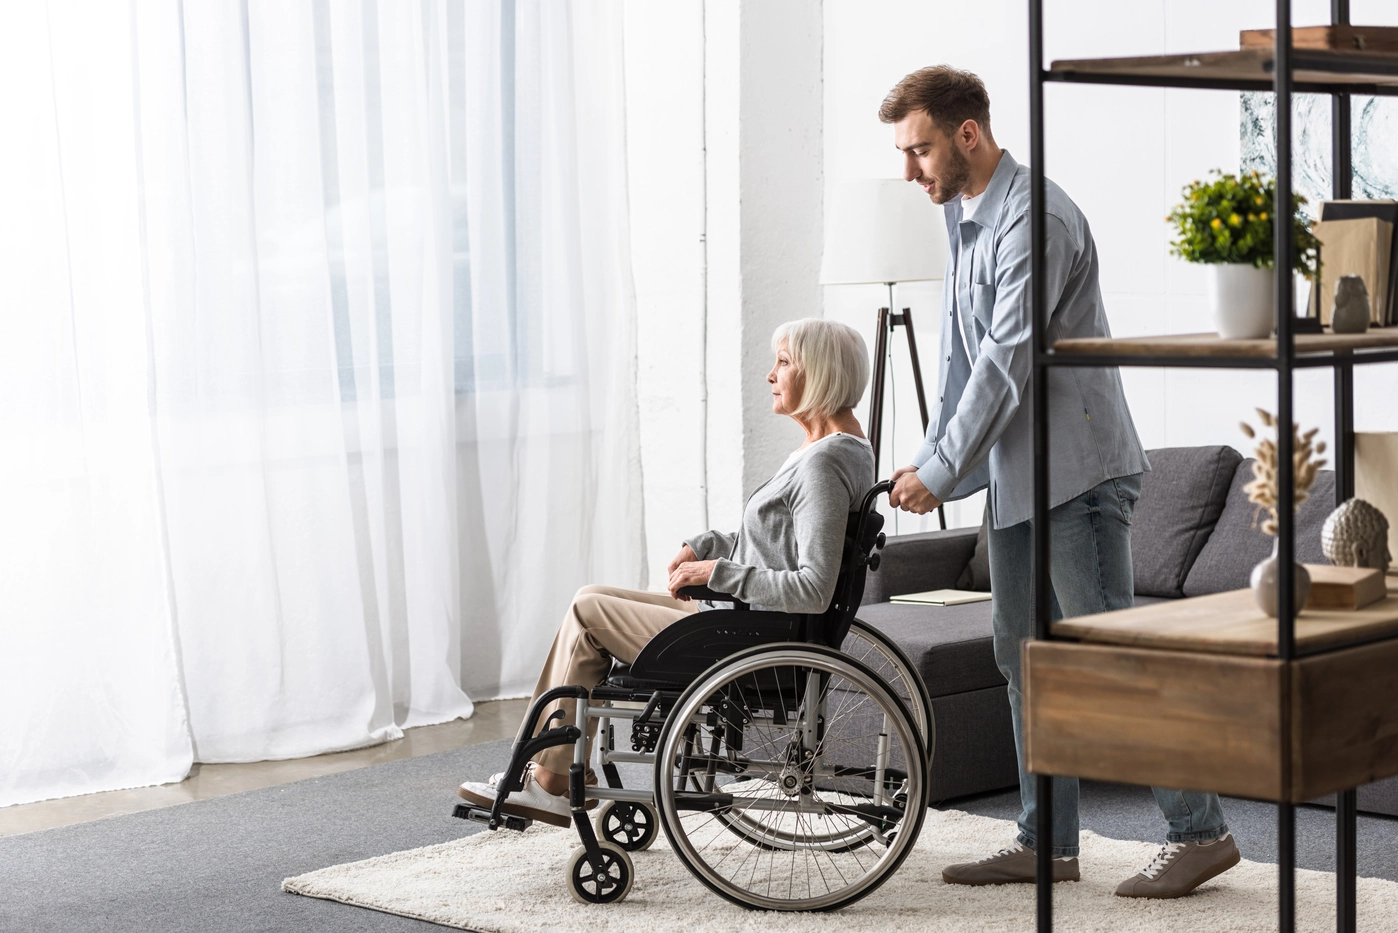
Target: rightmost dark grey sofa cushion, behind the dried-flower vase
{"type": "Point", "coordinates": [1238, 545]}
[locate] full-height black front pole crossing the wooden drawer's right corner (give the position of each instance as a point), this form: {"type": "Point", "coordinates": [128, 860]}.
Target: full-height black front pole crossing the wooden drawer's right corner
{"type": "Point", "coordinates": [1284, 240]}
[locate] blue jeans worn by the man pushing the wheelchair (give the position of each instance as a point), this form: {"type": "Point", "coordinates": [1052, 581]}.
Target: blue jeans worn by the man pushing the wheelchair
{"type": "Point", "coordinates": [1090, 541]}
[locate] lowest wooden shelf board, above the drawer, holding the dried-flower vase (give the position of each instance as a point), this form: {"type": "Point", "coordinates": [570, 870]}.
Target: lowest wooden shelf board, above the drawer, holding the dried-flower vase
{"type": "Point", "coordinates": [1232, 625]}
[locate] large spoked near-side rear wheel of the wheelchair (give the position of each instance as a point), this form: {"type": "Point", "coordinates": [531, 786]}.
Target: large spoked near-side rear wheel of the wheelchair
{"type": "Point", "coordinates": [789, 777]}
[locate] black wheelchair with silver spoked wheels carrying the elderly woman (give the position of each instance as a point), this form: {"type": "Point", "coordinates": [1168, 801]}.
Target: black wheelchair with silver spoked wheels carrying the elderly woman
{"type": "Point", "coordinates": [791, 752]}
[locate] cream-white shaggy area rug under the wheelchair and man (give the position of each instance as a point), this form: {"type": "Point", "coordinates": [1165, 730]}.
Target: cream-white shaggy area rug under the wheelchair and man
{"type": "Point", "coordinates": [514, 883]}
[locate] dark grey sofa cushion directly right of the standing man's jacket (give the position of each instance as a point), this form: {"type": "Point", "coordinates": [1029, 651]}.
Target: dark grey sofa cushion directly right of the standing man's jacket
{"type": "Point", "coordinates": [1182, 499]}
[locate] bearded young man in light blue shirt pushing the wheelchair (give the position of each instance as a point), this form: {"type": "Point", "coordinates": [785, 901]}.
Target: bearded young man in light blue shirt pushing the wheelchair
{"type": "Point", "coordinates": [981, 436]}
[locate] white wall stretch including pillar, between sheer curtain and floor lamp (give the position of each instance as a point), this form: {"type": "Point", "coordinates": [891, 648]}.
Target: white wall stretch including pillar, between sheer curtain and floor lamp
{"type": "Point", "coordinates": [726, 164]}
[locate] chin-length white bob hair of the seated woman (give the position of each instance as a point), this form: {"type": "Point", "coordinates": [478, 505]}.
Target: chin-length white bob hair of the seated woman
{"type": "Point", "coordinates": [833, 360]}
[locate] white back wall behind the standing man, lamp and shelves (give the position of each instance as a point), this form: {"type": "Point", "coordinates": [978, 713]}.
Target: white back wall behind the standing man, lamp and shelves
{"type": "Point", "coordinates": [1123, 155]}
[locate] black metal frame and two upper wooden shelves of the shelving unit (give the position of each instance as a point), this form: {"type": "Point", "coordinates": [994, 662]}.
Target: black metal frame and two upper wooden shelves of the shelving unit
{"type": "Point", "coordinates": [1281, 71]}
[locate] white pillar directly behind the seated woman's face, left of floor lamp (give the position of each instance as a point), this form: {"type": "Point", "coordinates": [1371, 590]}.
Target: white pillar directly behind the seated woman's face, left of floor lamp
{"type": "Point", "coordinates": [765, 197]}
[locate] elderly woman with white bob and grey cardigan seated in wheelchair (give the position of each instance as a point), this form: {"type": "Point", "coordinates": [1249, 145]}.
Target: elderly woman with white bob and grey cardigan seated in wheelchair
{"type": "Point", "coordinates": [785, 557]}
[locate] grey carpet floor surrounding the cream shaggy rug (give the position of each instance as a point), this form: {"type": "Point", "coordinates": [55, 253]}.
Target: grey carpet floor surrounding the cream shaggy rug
{"type": "Point", "coordinates": [217, 865]}
